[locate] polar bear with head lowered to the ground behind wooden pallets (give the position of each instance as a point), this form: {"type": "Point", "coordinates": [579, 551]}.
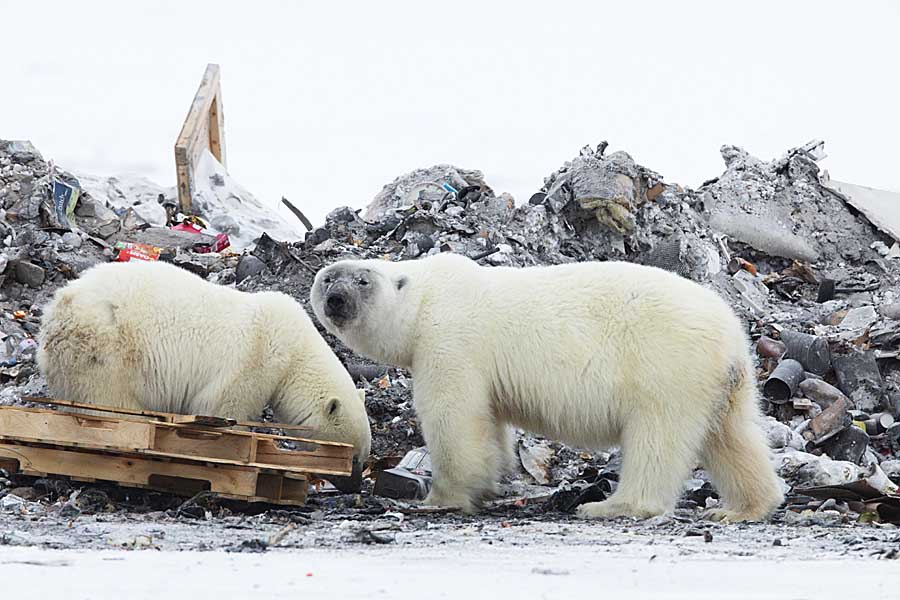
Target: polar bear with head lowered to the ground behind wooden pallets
{"type": "Point", "coordinates": [153, 336]}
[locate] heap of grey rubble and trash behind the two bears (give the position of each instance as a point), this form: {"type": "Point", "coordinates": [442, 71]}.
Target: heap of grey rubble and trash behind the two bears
{"type": "Point", "coordinates": [807, 272]}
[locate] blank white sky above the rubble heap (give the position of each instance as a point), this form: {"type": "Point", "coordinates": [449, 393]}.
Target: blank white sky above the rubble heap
{"type": "Point", "coordinates": [325, 102]}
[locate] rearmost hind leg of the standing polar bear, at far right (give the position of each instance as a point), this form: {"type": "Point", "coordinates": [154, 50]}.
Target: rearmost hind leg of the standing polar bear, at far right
{"type": "Point", "coordinates": [737, 457]}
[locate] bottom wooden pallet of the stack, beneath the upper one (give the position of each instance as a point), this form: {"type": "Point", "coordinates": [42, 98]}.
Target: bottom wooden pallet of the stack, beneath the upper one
{"type": "Point", "coordinates": [175, 476]}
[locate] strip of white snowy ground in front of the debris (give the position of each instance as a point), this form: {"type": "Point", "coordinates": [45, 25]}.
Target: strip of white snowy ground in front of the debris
{"type": "Point", "coordinates": [465, 568]}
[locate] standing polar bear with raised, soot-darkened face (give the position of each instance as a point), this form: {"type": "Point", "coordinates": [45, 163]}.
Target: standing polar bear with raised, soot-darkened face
{"type": "Point", "coordinates": [591, 354]}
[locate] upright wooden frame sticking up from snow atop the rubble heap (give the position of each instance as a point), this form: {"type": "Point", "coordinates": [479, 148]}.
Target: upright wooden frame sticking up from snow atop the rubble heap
{"type": "Point", "coordinates": [204, 128]}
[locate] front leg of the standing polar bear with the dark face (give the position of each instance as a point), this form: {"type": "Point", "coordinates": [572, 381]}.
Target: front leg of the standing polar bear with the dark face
{"type": "Point", "coordinates": [462, 436]}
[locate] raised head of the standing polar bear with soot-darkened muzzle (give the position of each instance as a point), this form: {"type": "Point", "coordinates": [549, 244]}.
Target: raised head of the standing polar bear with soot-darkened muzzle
{"type": "Point", "coordinates": [370, 305]}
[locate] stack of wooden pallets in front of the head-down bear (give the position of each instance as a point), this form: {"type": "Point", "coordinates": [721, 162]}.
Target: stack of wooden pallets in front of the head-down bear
{"type": "Point", "coordinates": [182, 454]}
